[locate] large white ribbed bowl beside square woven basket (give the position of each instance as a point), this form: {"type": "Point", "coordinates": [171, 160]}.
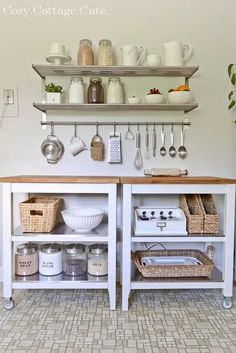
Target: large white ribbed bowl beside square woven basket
{"type": "Point", "coordinates": [82, 220]}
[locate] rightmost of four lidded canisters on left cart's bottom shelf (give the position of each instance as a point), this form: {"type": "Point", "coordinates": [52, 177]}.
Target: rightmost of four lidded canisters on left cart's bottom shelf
{"type": "Point", "coordinates": [98, 260]}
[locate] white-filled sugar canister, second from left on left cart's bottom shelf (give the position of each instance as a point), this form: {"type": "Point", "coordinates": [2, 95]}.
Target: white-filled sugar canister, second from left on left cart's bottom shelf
{"type": "Point", "coordinates": [50, 259]}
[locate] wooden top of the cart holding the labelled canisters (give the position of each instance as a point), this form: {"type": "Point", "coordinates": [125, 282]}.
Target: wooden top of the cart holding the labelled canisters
{"type": "Point", "coordinates": [60, 179]}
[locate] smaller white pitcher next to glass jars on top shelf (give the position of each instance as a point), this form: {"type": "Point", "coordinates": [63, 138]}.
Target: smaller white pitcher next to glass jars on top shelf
{"type": "Point", "coordinates": [129, 55]}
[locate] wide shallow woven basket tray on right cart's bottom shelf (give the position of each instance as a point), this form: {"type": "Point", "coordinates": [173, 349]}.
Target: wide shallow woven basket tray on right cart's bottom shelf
{"type": "Point", "coordinates": [165, 271]}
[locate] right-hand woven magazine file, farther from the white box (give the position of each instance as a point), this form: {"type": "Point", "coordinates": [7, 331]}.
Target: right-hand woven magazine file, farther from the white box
{"type": "Point", "coordinates": [210, 216]}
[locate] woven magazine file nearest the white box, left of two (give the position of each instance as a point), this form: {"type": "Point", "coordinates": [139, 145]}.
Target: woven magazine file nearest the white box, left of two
{"type": "Point", "coordinates": [193, 212]}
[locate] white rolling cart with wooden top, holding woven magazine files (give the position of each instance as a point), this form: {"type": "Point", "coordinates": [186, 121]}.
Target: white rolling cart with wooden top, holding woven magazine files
{"type": "Point", "coordinates": [141, 186]}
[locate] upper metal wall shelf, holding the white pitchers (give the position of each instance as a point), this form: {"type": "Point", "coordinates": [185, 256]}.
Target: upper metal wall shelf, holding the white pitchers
{"type": "Point", "coordinates": [75, 70]}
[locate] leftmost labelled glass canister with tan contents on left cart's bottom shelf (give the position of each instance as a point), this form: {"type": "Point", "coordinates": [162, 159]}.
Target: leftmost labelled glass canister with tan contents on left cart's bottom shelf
{"type": "Point", "coordinates": [26, 260]}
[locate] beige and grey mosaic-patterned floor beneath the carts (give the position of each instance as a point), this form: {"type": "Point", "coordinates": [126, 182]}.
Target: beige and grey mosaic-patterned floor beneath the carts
{"type": "Point", "coordinates": [66, 321]}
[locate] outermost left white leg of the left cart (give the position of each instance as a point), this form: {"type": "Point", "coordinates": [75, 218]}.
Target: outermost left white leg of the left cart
{"type": "Point", "coordinates": [7, 245]}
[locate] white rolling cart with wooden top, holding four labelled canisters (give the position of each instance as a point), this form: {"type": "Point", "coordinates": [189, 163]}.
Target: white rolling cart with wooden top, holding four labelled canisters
{"type": "Point", "coordinates": [58, 185]}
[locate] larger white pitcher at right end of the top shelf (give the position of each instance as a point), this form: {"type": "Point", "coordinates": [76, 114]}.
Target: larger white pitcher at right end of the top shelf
{"type": "Point", "coordinates": [174, 53]}
